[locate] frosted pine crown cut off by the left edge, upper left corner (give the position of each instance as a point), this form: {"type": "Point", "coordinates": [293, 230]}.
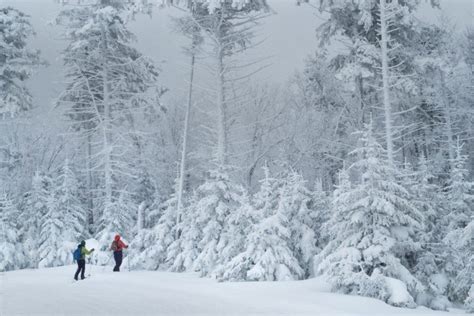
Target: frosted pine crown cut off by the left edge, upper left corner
{"type": "Point", "coordinates": [17, 62]}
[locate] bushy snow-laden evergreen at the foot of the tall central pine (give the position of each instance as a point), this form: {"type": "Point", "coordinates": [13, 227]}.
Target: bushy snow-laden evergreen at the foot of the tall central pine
{"type": "Point", "coordinates": [202, 233]}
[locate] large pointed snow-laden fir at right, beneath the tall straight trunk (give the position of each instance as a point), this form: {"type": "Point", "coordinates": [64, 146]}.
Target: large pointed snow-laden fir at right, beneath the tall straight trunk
{"type": "Point", "coordinates": [374, 226]}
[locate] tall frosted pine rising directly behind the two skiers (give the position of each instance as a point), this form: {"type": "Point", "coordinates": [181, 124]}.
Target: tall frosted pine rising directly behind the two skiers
{"type": "Point", "coordinates": [110, 87]}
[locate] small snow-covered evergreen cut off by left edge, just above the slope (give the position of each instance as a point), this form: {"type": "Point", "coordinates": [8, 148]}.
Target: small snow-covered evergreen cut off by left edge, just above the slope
{"type": "Point", "coordinates": [11, 250]}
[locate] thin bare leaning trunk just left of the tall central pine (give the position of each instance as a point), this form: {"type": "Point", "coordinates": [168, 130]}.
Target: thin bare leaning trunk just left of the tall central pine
{"type": "Point", "coordinates": [182, 168]}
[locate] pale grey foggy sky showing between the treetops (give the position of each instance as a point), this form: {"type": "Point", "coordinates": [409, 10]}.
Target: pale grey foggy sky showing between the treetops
{"type": "Point", "coordinates": [290, 38]}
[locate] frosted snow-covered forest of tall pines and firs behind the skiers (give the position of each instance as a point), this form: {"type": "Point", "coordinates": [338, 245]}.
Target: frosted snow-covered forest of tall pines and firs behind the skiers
{"type": "Point", "coordinates": [358, 169]}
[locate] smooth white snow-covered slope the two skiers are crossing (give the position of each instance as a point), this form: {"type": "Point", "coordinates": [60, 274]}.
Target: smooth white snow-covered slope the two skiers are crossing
{"type": "Point", "coordinates": [52, 292]}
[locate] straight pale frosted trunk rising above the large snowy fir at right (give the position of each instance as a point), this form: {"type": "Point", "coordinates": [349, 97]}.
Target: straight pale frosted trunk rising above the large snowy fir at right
{"type": "Point", "coordinates": [385, 80]}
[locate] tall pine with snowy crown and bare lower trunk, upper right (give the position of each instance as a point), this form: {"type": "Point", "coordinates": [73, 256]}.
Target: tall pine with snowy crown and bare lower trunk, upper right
{"type": "Point", "coordinates": [380, 35]}
